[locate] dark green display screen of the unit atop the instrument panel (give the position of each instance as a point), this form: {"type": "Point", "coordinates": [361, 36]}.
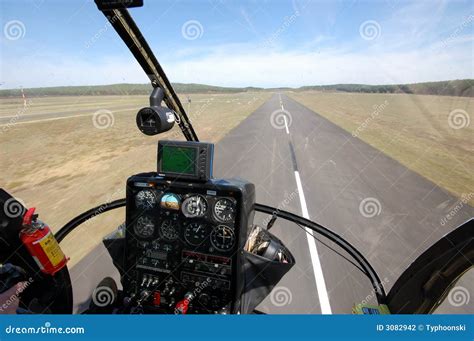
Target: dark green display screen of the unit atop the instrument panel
{"type": "Point", "coordinates": [177, 159]}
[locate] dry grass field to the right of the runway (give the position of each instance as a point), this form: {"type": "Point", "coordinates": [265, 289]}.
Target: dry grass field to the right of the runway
{"type": "Point", "coordinates": [431, 135]}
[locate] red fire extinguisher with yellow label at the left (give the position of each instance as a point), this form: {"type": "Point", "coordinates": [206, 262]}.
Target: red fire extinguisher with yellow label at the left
{"type": "Point", "coordinates": [41, 244]}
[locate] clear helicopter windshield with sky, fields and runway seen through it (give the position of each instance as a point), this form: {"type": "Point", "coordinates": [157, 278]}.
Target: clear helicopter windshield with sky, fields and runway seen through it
{"type": "Point", "coordinates": [356, 115]}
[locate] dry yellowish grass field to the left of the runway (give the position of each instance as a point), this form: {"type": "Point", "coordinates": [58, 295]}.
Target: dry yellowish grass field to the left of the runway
{"type": "Point", "coordinates": [64, 166]}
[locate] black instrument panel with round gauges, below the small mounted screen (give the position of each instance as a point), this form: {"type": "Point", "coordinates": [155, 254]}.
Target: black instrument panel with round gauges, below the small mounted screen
{"type": "Point", "coordinates": [182, 244]}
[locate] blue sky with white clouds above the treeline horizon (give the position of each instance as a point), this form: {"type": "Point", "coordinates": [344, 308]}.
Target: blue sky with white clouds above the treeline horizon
{"type": "Point", "coordinates": [259, 43]}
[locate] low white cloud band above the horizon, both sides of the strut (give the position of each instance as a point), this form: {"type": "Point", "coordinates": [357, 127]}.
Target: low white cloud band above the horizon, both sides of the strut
{"type": "Point", "coordinates": [249, 65]}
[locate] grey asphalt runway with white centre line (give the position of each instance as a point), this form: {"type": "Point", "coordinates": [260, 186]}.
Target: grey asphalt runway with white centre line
{"type": "Point", "coordinates": [302, 163]}
